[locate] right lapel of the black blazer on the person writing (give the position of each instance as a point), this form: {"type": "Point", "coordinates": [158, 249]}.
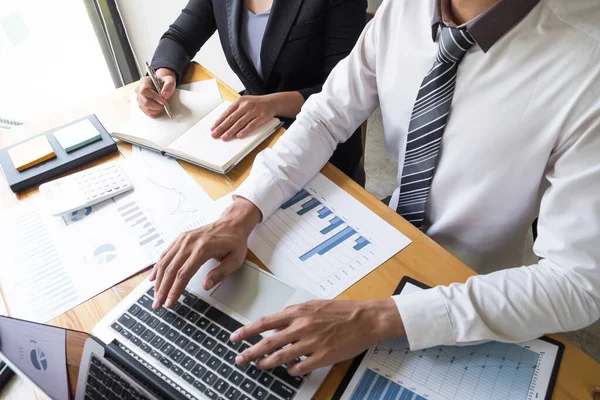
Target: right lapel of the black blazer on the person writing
{"type": "Point", "coordinates": [283, 15]}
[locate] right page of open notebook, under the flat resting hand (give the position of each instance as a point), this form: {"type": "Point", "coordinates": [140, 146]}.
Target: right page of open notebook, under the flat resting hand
{"type": "Point", "coordinates": [198, 144]}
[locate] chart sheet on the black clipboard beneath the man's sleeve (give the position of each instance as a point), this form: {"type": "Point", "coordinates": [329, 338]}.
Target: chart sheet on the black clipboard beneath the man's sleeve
{"type": "Point", "coordinates": [490, 370]}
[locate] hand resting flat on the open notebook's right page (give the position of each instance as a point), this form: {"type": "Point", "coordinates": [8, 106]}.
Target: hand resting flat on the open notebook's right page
{"type": "Point", "coordinates": [243, 116]}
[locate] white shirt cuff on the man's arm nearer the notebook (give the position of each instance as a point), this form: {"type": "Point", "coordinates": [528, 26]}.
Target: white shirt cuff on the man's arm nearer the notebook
{"type": "Point", "coordinates": [263, 191]}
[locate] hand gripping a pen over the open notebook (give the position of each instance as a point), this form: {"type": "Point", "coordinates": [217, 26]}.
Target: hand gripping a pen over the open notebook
{"type": "Point", "coordinates": [150, 102]}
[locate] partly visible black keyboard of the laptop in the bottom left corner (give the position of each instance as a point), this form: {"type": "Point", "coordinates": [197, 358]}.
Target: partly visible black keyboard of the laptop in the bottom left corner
{"type": "Point", "coordinates": [104, 383]}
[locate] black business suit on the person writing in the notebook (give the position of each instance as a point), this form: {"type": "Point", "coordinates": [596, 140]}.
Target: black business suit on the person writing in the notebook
{"type": "Point", "coordinates": [303, 41]}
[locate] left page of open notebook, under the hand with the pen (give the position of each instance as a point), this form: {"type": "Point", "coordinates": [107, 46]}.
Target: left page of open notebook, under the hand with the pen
{"type": "Point", "coordinates": [187, 109]}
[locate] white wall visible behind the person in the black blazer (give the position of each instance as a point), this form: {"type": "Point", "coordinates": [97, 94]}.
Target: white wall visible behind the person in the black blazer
{"type": "Point", "coordinates": [147, 20]}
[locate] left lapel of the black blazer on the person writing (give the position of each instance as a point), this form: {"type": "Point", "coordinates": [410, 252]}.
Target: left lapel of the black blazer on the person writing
{"type": "Point", "coordinates": [234, 14]}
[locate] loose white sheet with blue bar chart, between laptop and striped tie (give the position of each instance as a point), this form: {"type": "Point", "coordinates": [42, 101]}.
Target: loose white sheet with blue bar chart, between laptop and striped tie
{"type": "Point", "coordinates": [324, 240]}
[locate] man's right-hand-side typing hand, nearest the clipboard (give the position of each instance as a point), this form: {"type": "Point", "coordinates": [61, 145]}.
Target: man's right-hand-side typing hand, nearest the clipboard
{"type": "Point", "coordinates": [326, 332]}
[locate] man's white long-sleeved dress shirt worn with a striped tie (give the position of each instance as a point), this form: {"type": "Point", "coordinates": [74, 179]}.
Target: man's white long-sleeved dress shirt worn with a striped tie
{"type": "Point", "coordinates": [522, 140]}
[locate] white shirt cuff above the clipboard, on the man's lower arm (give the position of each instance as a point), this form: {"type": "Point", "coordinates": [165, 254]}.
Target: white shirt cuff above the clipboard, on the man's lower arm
{"type": "Point", "coordinates": [425, 319]}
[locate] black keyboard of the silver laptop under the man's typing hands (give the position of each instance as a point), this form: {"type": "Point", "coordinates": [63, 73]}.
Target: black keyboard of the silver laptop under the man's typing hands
{"type": "Point", "coordinates": [191, 339]}
